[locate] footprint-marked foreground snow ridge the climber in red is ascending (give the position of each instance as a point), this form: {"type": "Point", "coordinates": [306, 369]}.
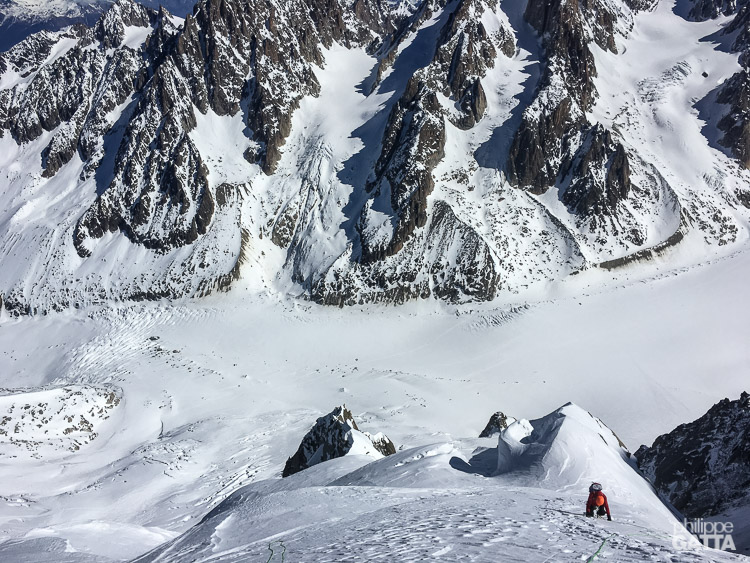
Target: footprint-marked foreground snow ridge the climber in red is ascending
{"type": "Point", "coordinates": [428, 503]}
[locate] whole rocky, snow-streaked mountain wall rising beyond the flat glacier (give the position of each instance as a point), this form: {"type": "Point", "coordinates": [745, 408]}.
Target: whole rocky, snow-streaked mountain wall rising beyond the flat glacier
{"type": "Point", "coordinates": [362, 151]}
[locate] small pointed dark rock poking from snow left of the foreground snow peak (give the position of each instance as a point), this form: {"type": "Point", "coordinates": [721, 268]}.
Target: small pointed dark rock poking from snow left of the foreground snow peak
{"type": "Point", "coordinates": [332, 436]}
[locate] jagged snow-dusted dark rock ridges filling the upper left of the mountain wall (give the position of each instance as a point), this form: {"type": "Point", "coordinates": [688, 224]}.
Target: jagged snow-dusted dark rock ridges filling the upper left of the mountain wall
{"type": "Point", "coordinates": [159, 194]}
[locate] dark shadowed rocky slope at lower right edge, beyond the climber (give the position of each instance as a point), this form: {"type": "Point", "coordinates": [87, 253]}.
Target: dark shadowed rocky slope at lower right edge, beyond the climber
{"type": "Point", "coordinates": [703, 467]}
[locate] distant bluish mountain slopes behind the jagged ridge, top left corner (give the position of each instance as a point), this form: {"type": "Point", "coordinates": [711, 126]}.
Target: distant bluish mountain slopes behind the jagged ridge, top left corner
{"type": "Point", "coordinates": [21, 18]}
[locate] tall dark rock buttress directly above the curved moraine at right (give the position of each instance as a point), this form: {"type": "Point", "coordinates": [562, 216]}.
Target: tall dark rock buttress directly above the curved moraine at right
{"type": "Point", "coordinates": [557, 146]}
